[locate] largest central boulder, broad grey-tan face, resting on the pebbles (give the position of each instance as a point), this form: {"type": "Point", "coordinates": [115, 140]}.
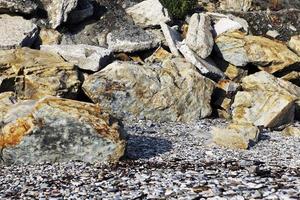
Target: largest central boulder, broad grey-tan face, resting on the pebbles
{"type": "Point", "coordinates": [173, 92]}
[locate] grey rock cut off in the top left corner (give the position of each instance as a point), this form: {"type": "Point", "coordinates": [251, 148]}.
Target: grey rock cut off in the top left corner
{"type": "Point", "coordinates": [17, 6]}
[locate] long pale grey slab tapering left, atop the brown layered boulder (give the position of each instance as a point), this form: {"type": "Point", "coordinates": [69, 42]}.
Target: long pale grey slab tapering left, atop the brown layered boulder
{"type": "Point", "coordinates": [86, 57]}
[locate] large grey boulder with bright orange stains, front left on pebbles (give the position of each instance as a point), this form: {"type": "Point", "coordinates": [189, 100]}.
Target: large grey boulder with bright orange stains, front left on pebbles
{"type": "Point", "coordinates": [57, 130]}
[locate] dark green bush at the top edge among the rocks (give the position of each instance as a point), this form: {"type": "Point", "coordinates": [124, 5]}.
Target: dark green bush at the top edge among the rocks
{"type": "Point", "coordinates": [178, 9]}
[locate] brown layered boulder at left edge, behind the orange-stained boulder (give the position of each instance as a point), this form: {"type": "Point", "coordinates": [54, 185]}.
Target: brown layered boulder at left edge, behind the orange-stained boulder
{"type": "Point", "coordinates": [33, 74]}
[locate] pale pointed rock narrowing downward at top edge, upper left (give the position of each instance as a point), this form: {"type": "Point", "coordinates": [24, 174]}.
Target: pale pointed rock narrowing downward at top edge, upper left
{"type": "Point", "coordinates": [58, 10]}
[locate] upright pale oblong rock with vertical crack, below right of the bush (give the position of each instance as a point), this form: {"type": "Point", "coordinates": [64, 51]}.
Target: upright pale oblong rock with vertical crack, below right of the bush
{"type": "Point", "coordinates": [199, 37]}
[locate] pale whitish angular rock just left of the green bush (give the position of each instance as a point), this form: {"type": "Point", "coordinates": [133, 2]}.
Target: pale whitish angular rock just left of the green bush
{"type": "Point", "coordinates": [148, 13]}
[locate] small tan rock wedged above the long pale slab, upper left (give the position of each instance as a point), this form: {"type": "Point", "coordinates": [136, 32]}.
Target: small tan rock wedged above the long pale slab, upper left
{"type": "Point", "coordinates": [49, 36]}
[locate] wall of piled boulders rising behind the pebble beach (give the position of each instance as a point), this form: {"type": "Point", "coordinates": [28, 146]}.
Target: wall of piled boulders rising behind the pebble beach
{"type": "Point", "coordinates": [71, 70]}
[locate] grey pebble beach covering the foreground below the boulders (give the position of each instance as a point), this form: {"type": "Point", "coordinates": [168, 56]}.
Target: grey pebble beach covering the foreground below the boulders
{"type": "Point", "coordinates": [168, 161]}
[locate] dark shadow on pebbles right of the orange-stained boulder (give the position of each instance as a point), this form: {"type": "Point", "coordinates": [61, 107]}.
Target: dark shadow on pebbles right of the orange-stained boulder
{"type": "Point", "coordinates": [146, 147]}
